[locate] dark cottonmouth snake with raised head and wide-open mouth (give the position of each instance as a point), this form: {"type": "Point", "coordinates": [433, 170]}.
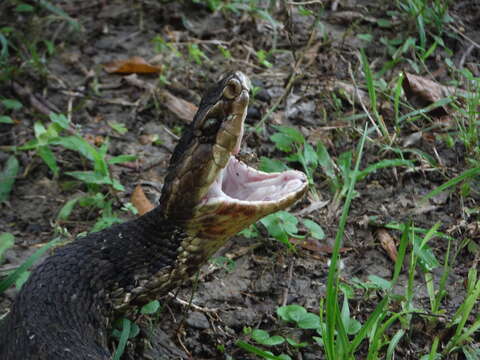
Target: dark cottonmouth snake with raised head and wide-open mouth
{"type": "Point", "coordinates": [64, 309]}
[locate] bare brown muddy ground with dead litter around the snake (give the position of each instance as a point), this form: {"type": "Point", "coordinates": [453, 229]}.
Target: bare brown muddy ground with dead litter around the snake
{"type": "Point", "coordinates": [320, 56]}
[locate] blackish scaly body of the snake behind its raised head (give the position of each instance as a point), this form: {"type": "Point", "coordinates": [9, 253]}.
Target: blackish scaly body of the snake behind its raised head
{"type": "Point", "coordinates": [71, 297]}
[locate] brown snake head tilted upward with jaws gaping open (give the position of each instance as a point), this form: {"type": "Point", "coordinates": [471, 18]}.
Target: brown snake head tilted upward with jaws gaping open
{"type": "Point", "coordinates": [215, 194]}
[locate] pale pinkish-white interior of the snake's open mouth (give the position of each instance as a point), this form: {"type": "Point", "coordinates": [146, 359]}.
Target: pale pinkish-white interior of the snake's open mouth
{"type": "Point", "coordinates": [238, 182]}
